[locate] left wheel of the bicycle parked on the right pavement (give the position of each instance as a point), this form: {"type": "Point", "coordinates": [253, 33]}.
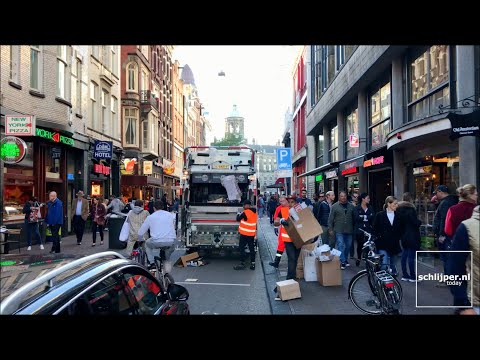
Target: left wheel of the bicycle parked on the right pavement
{"type": "Point", "coordinates": [361, 295]}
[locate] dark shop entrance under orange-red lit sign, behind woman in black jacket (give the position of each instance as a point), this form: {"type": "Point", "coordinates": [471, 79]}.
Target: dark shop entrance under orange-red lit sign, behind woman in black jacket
{"type": "Point", "coordinates": [379, 164]}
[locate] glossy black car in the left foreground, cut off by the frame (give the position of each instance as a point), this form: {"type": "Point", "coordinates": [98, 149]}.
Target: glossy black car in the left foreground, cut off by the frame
{"type": "Point", "coordinates": [100, 284]}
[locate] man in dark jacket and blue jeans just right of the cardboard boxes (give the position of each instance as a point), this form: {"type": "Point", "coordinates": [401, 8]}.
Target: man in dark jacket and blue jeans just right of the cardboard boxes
{"type": "Point", "coordinates": [341, 222]}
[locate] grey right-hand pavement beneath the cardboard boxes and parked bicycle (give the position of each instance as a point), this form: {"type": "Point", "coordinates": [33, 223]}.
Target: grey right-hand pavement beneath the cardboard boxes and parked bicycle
{"type": "Point", "coordinates": [317, 299]}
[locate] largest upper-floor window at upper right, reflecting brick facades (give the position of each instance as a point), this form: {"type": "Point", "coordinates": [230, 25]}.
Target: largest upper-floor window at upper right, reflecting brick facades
{"type": "Point", "coordinates": [429, 82]}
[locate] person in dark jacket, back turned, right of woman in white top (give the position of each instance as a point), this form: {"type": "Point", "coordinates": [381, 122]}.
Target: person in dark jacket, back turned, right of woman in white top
{"type": "Point", "coordinates": [411, 236]}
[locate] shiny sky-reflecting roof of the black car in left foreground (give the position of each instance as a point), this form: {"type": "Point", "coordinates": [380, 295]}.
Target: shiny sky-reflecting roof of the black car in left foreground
{"type": "Point", "coordinates": [59, 283]}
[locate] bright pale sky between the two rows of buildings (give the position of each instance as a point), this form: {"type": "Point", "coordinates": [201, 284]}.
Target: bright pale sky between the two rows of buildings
{"type": "Point", "coordinates": [258, 79]}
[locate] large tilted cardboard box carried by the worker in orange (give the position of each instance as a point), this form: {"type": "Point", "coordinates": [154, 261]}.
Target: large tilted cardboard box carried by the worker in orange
{"type": "Point", "coordinates": [303, 227]}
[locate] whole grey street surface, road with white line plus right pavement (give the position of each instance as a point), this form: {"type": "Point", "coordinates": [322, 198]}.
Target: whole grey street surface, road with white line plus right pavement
{"type": "Point", "coordinates": [216, 288]}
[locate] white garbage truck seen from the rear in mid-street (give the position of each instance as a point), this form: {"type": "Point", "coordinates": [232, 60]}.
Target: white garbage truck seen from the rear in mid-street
{"type": "Point", "coordinates": [216, 182]}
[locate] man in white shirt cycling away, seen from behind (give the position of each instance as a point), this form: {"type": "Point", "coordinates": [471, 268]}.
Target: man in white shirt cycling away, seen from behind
{"type": "Point", "coordinates": [162, 231]}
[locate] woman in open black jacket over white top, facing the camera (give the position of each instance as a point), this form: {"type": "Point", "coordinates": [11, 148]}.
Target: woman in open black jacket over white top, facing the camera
{"type": "Point", "coordinates": [388, 229]}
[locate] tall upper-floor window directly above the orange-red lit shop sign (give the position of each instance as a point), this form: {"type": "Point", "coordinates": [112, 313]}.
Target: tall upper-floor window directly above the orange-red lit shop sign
{"type": "Point", "coordinates": [380, 115]}
